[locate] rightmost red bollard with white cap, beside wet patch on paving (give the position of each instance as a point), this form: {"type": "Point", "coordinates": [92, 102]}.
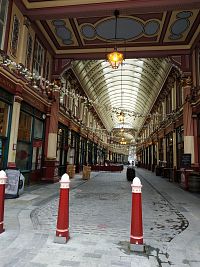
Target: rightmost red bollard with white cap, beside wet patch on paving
{"type": "Point", "coordinates": [136, 237]}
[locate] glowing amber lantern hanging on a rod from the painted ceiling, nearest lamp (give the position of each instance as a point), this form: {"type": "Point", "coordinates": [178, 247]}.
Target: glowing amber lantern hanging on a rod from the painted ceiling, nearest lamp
{"type": "Point", "coordinates": [115, 58]}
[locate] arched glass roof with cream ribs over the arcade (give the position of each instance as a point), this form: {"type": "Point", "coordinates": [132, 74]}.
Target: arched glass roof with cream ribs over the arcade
{"type": "Point", "coordinates": [131, 89]}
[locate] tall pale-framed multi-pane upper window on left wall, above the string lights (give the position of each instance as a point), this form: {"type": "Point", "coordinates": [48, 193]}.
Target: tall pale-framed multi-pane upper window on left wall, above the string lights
{"type": "Point", "coordinates": [38, 59]}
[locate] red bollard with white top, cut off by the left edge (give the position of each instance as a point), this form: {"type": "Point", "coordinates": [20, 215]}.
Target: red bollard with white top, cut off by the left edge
{"type": "Point", "coordinates": [3, 179]}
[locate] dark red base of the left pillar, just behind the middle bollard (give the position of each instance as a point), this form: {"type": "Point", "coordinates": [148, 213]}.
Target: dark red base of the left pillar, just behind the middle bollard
{"type": "Point", "coordinates": [50, 171]}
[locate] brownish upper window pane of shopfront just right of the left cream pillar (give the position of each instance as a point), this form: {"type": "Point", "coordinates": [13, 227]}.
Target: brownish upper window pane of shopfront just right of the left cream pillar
{"type": "Point", "coordinates": [25, 127]}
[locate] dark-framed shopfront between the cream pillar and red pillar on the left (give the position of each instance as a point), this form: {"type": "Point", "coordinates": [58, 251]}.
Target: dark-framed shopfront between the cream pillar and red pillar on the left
{"type": "Point", "coordinates": [30, 143]}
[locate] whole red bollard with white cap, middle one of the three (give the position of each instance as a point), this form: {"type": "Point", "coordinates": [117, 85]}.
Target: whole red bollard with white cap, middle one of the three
{"type": "Point", "coordinates": [62, 231]}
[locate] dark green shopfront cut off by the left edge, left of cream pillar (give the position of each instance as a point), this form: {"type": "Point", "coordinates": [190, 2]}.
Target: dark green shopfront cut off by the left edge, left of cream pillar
{"type": "Point", "coordinates": [6, 101]}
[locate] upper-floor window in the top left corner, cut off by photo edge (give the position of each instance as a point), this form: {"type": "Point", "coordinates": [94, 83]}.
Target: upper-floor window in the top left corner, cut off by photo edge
{"type": "Point", "coordinates": [3, 15]}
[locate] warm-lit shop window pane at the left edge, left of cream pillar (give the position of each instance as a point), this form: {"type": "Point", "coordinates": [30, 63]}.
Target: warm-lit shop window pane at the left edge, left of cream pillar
{"type": "Point", "coordinates": [4, 110]}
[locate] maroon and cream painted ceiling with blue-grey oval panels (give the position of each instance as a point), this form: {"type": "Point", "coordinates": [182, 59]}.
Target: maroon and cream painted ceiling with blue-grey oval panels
{"type": "Point", "coordinates": [86, 29]}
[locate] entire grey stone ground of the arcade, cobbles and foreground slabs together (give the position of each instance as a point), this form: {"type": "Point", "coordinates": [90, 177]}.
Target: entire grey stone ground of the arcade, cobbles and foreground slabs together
{"type": "Point", "coordinates": [100, 224]}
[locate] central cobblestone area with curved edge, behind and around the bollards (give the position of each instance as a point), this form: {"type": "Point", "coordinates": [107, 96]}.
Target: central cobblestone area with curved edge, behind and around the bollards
{"type": "Point", "coordinates": [102, 206]}
